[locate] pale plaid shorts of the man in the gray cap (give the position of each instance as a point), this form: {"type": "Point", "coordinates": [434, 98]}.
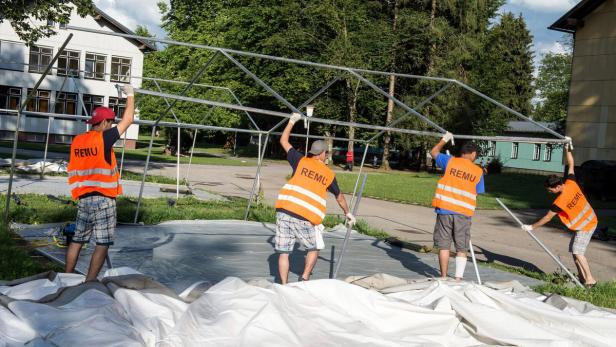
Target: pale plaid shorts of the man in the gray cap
{"type": "Point", "coordinates": [289, 228]}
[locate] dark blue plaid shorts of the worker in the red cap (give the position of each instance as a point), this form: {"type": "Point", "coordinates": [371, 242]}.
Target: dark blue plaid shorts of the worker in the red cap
{"type": "Point", "coordinates": [98, 214]}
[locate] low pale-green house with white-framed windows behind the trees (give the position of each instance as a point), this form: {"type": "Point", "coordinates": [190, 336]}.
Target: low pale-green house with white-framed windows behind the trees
{"type": "Point", "coordinates": [538, 158]}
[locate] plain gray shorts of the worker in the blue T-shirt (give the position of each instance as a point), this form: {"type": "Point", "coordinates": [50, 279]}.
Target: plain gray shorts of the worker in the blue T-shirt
{"type": "Point", "coordinates": [452, 227]}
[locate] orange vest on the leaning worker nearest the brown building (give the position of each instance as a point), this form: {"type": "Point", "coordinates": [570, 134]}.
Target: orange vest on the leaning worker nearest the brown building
{"type": "Point", "coordinates": [576, 213]}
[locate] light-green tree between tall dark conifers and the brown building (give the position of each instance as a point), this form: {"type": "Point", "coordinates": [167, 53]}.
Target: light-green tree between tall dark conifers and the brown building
{"type": "Point", "coordinates": [552, 86]}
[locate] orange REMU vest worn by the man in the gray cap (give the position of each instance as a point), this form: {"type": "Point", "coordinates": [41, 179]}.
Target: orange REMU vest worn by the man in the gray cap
{"type": "Point", "coordinates": [305, 193]}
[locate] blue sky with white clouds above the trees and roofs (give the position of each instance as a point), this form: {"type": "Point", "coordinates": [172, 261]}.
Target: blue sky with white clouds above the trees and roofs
{"type": "Point", "coordinates": [539, 14]}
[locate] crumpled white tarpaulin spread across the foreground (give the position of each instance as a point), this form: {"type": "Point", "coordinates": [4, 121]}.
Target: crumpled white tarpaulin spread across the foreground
{"type": "Point", "coordinates": [129, 309]}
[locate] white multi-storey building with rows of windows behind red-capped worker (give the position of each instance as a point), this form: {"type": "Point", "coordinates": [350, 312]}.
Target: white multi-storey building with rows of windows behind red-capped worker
{"type": "Point", "coordinates": [83, 77]}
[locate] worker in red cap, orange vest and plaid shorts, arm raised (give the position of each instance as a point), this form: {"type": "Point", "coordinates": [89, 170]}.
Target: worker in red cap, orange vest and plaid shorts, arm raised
{"type": "Point", "coordinates": [94, 180]}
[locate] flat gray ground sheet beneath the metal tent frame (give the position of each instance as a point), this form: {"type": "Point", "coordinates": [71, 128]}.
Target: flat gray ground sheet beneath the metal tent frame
{"type": "Point", "coordinates": [179, 253]}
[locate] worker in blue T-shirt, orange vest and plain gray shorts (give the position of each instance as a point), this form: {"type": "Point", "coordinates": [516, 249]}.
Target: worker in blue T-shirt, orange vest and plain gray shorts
{"type": "Point", "coordinates": [455, 201]}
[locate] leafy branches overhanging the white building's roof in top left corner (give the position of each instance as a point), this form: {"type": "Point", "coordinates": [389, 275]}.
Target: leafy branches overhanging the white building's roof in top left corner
{"type": "Point", "coordinates": [20, 13]}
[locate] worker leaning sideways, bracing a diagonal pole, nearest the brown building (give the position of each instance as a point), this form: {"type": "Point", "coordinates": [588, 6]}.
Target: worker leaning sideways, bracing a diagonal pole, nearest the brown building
{"type": "Point", "coordinates": [575, 212]}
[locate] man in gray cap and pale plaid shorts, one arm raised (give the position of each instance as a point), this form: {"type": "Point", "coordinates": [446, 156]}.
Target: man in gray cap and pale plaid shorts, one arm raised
{"type": "Point", "coordinates": [301, 204]}
